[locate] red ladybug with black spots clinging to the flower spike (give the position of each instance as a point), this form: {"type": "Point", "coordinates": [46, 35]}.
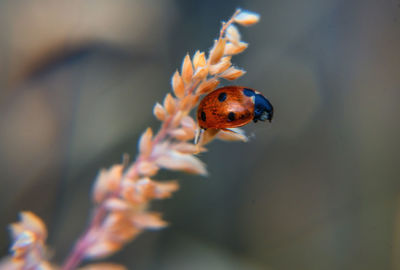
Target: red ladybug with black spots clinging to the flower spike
{"type": "Point", "coordinates": [233, 106]}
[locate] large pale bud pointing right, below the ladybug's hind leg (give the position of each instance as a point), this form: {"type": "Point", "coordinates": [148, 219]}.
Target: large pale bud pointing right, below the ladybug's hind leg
{"type": "Point", "coordinates": [175, 160]}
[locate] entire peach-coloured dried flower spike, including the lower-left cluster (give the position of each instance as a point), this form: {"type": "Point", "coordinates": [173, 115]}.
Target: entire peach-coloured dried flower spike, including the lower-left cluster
{"type": "Point", "coordinates": [122, 194]}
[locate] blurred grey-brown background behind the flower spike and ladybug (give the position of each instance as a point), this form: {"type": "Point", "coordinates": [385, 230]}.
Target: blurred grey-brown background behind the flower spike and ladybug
{"type": "Point", "coordinates": [317, 189]}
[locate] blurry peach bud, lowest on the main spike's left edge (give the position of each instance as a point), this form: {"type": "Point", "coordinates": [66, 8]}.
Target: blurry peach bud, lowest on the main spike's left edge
{"type": "Point", "coordinates": [107, 182]}
